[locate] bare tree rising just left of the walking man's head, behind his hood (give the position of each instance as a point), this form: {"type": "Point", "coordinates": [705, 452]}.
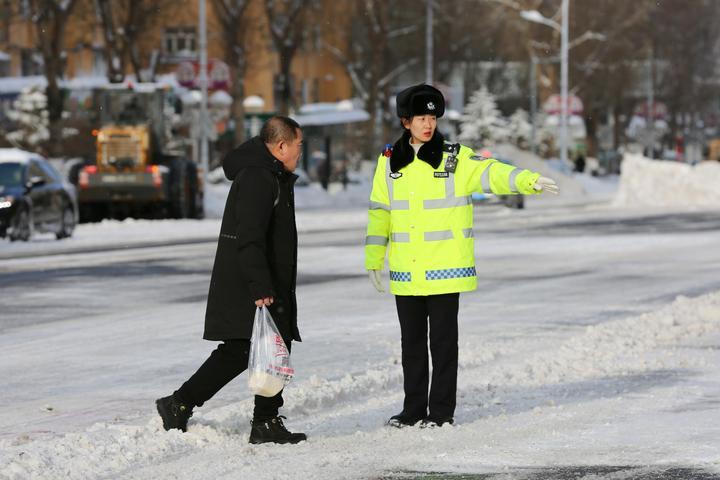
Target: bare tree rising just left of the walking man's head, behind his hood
{"type": "Point", "coordinates": [234, 19]}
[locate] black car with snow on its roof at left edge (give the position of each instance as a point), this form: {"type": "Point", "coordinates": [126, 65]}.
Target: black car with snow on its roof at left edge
{"type": "Point", "coordinates": [33, 197]}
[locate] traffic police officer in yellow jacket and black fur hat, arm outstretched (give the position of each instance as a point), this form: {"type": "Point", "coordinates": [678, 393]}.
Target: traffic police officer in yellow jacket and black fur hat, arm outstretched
{"type": "Point", "coordinates": [421, 214]}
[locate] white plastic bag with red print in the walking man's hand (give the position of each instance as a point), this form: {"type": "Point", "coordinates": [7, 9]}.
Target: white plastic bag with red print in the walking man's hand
{"type": "Point", "coordinates": [269, 366]}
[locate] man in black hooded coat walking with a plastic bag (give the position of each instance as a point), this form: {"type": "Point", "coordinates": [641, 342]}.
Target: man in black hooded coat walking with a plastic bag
{"type": "Point", "coordinates": [255, 265]}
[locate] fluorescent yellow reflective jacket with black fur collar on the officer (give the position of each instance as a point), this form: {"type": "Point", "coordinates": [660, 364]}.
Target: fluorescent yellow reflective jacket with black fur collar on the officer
{"type": "Point", "coordinates": [421, 213]}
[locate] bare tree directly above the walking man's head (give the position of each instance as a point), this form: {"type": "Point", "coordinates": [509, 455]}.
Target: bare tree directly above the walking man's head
{"type": "Point", "coordinates": [285, 20]}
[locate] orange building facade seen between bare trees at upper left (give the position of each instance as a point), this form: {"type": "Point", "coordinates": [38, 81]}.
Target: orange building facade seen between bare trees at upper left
{"type": "Point", "coordinates": [170, 43]}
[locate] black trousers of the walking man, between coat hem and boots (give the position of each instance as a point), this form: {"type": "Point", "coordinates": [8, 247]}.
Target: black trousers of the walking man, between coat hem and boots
{"type": "Point", "coordinates": [225, 363]}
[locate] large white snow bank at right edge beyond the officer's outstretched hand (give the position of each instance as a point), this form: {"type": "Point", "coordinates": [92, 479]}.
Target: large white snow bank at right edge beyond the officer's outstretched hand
{"type": "Point", "coordinates": [659, 183]}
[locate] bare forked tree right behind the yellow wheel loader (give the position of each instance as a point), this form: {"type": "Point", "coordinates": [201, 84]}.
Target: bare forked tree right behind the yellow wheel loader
{"type": "Point", "coordinates": [123, 24]}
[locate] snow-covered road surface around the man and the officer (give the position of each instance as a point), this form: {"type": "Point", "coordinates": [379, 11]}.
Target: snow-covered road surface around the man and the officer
{"type": "Point", "coordinates": [553, 371]}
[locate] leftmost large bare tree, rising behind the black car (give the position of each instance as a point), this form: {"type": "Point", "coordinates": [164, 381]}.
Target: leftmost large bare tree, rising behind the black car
{"type": "Point", "coordinates": [50, 18]}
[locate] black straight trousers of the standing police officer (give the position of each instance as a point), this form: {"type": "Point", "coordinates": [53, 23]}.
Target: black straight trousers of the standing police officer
{"type": "Point", "coordinates": [442, 311]}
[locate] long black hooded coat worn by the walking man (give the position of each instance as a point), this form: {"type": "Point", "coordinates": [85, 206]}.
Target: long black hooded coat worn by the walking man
{"type": "Point", "coordinates": [257, 250]}
